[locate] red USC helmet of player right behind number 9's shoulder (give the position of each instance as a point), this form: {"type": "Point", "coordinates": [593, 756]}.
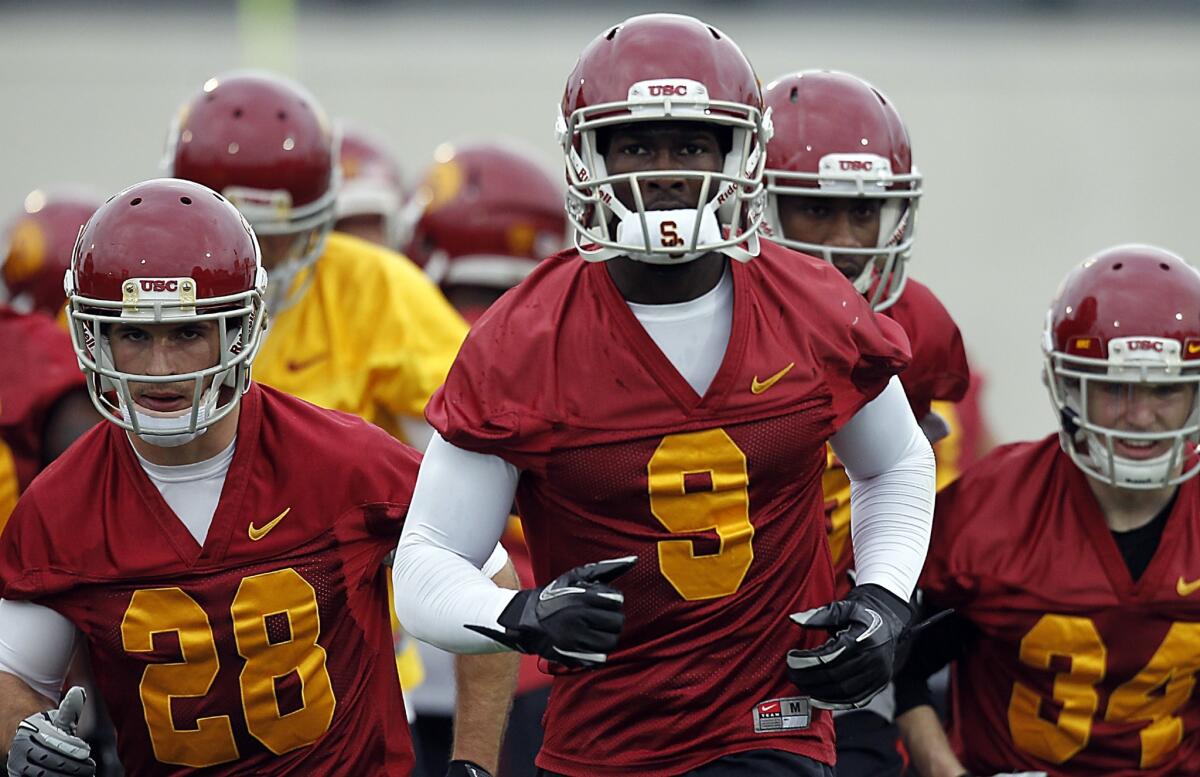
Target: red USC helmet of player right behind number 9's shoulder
{"type": "Point", "coordinates": [837, 136]}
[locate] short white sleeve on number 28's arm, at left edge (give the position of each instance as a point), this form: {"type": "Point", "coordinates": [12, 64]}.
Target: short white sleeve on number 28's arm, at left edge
{"type": "Point", "coordinates": [37, 645]}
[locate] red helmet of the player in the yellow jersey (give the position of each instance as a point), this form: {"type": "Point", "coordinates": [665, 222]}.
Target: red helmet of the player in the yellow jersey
{"type": "Point", "coordinates": [267, 146]}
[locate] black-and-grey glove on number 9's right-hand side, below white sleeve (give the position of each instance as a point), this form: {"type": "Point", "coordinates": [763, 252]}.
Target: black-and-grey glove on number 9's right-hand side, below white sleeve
{"type": "Point", "coordinates": [857, 662]}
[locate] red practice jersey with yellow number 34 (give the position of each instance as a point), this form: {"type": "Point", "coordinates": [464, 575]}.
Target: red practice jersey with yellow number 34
{"type": "Point", "coordinates": [1078, 670]}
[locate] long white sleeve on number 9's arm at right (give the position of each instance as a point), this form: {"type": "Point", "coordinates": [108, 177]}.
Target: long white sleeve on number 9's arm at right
{"type": "Point", "coordinates": [892, 486]}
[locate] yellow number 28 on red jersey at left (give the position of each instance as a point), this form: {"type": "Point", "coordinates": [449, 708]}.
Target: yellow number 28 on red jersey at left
{"type": "Point", "coordinates": [170, 610]}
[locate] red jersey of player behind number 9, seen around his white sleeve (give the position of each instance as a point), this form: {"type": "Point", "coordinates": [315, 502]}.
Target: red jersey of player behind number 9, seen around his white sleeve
{"type": "Point", "coordinates": [939, 371]}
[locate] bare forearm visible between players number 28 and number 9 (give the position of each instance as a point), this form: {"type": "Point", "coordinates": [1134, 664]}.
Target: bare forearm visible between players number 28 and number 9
{"type": "Point", "coordinates": [485, 686]}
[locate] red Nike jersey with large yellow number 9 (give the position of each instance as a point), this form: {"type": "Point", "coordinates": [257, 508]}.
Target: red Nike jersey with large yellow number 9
{"type": "Point", "coordinates": [718, 496]}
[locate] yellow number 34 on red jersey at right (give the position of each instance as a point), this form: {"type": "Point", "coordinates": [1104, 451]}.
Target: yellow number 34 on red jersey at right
{"type": "Point", "coordinates": [1155, 695]}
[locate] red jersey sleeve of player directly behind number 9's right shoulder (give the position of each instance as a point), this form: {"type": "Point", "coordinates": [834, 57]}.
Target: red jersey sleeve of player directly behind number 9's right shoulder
{"type": "Point", "coordinates": [939, 369]}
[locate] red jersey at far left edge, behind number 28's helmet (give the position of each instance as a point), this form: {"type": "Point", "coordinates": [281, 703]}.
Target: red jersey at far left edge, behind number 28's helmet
{"type": "Point", "coordinates": [39, 369]}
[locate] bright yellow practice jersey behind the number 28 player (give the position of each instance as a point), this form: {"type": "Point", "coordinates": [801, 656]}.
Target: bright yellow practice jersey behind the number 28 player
{"type": "Point", "coordinates": [371, 336]}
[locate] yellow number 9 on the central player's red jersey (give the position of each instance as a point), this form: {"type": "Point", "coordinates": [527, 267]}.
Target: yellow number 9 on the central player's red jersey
{"type": "Point", "coordinates": [699, 483]}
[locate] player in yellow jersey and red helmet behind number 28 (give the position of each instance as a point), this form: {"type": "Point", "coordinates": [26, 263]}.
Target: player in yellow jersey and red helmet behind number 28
{"type": "Point", "coordinates": [355, 327]}
